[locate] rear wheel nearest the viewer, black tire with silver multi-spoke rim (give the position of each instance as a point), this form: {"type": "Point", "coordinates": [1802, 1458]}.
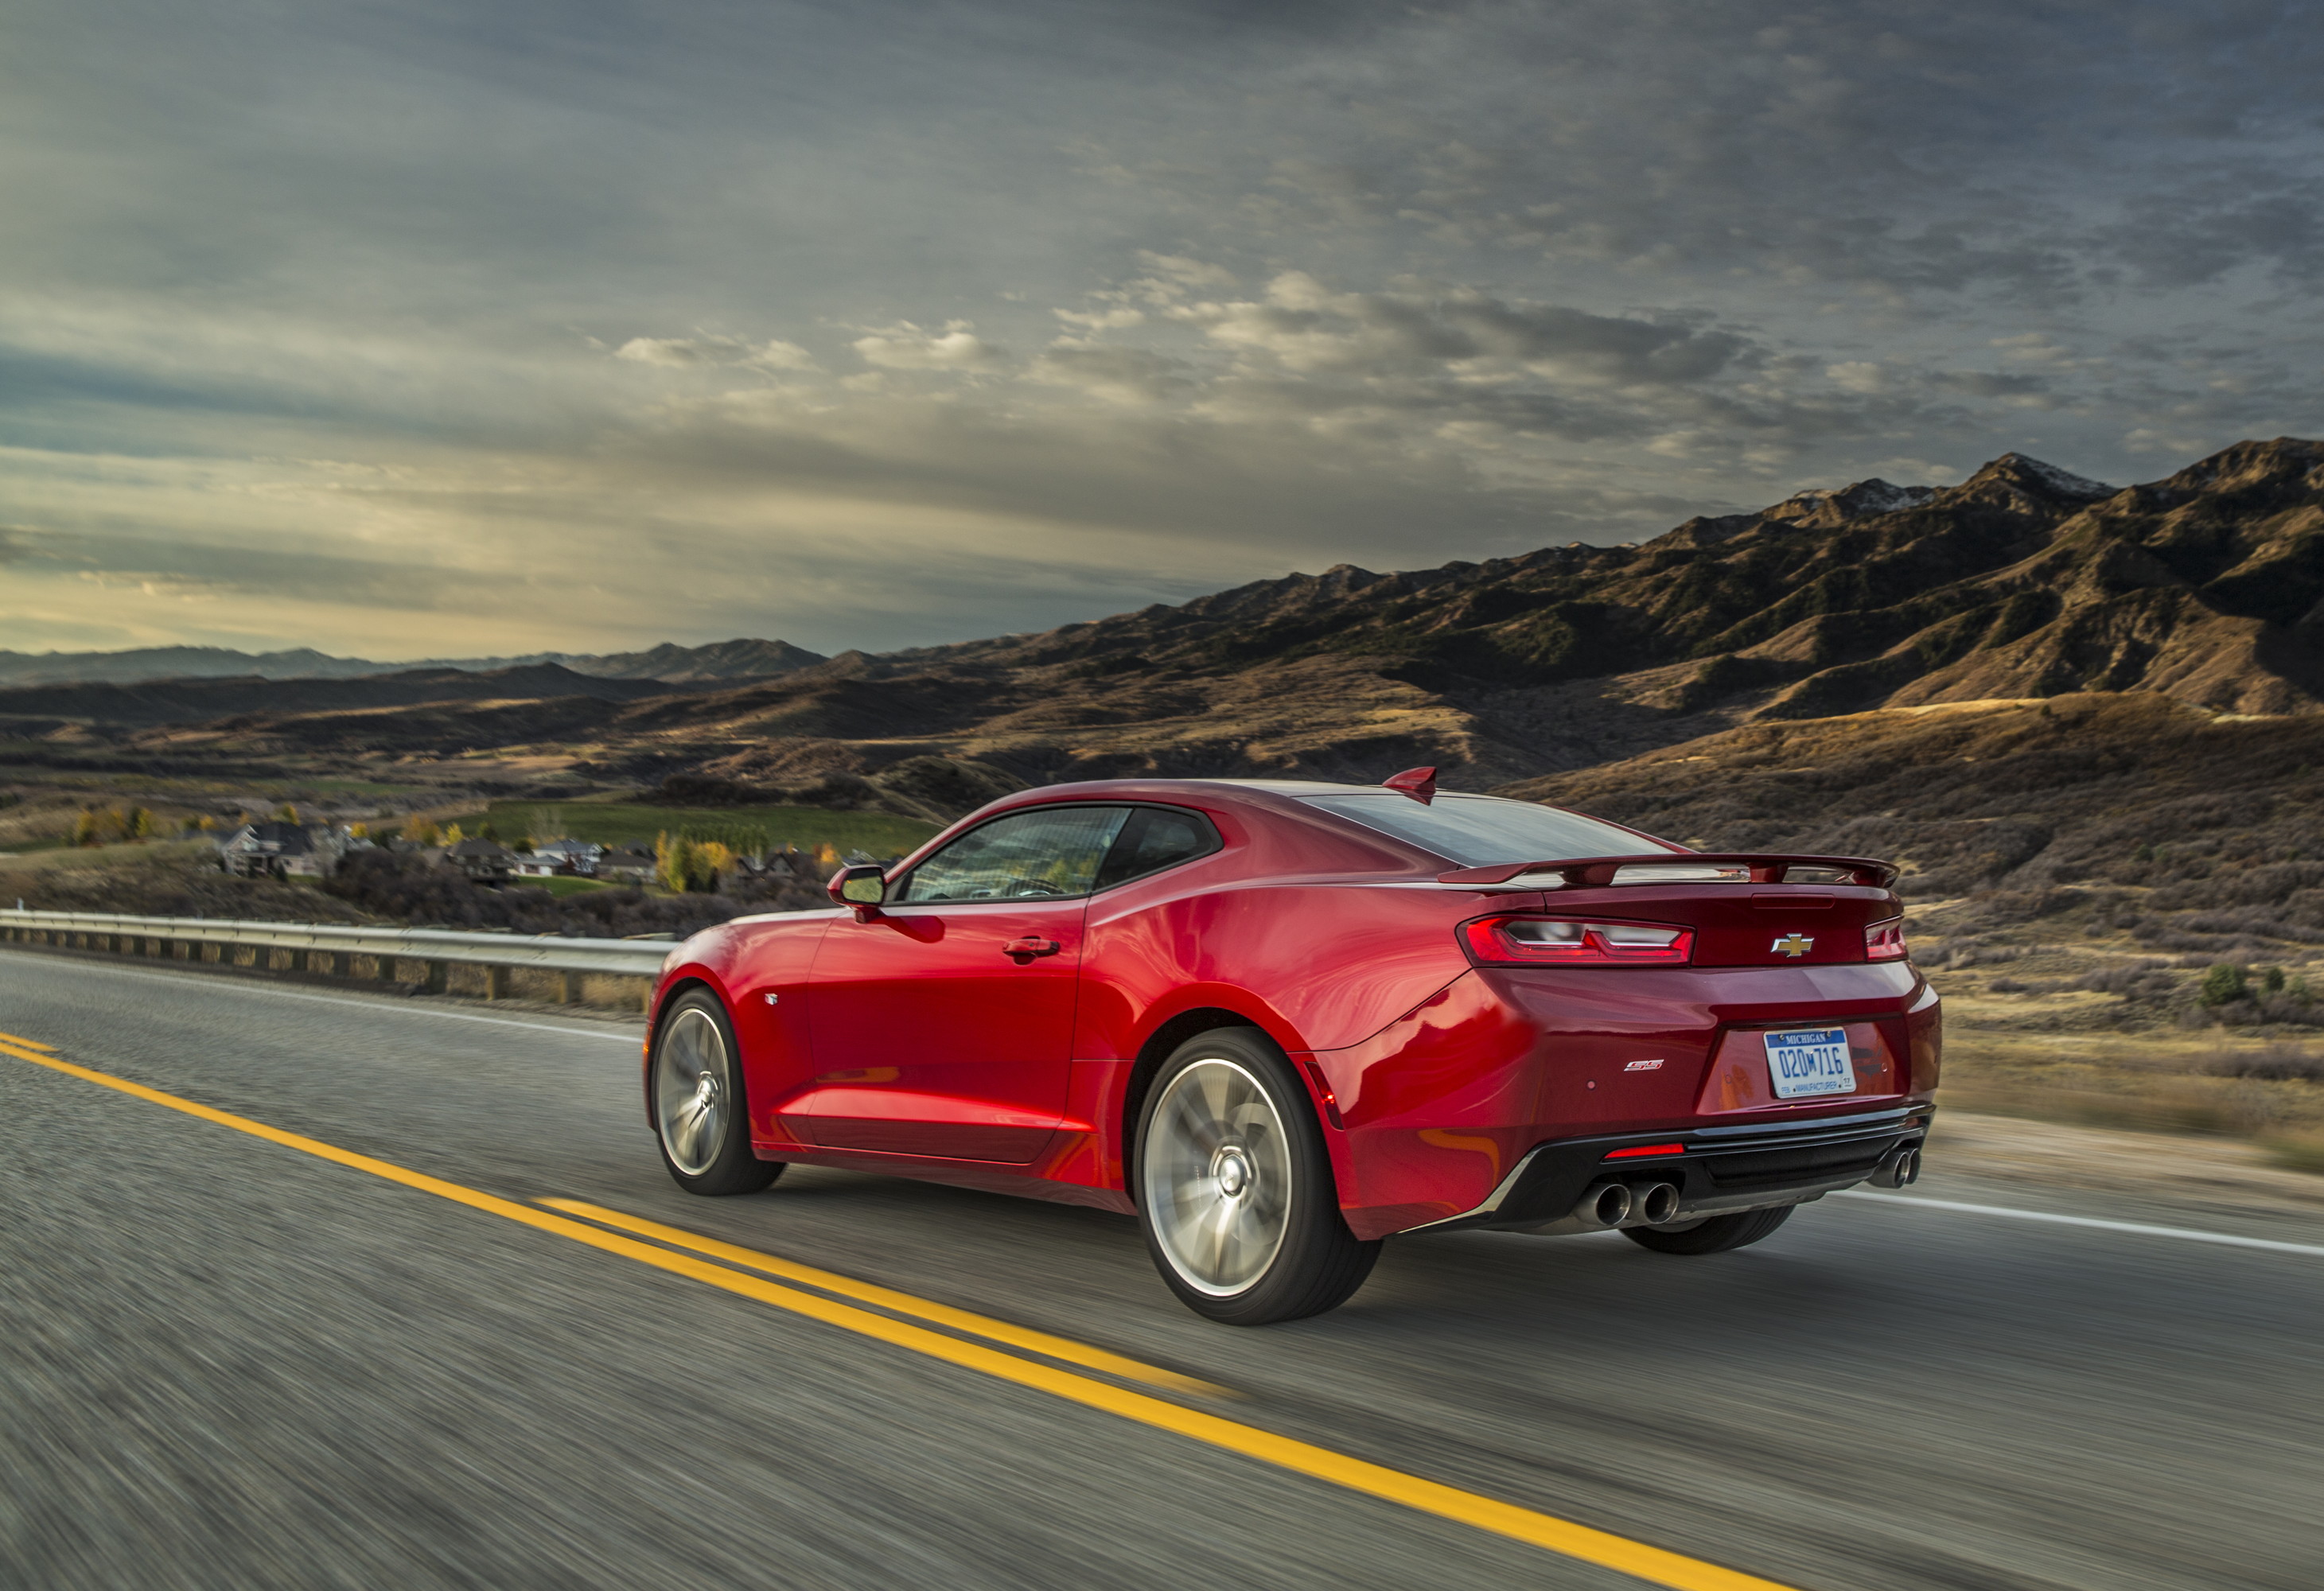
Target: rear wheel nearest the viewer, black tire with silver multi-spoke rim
{"type": "Point", "coordinates": [1235, 1188]}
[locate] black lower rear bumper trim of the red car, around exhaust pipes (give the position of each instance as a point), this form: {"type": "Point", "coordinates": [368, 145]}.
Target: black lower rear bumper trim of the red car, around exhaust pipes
{"type": "Point", "coordinates": [1723, 1169]}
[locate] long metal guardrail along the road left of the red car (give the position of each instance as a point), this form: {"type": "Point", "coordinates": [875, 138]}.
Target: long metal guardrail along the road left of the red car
{"type": "Point", "coordinates": [438, 951]}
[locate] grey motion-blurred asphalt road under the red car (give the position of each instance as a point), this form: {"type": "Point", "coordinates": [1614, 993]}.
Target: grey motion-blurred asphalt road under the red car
{"type": "Point", "coordinates": [227, 1362]}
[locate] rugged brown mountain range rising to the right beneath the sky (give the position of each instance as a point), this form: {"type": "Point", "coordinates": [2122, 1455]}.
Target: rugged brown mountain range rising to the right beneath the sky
{"type": "Point", "coordinates": [2021, 584]}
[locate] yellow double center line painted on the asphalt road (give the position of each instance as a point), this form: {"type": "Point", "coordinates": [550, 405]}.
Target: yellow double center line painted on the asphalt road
{"type": "Point", "coordinates": [1547, 1532]}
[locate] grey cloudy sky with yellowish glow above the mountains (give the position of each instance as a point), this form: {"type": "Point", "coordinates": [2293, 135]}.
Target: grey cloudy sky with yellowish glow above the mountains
{"type": "Point", "coordinates": [482, 326]}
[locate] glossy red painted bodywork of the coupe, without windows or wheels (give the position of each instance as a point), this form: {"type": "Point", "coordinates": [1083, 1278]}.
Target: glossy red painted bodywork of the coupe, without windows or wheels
{"type": "Point", "coordinates": [905, 1039]}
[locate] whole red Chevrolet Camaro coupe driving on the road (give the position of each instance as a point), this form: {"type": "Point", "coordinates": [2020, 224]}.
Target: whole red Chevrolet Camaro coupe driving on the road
{"type": "Point", "coordinates": [1284, 1021]}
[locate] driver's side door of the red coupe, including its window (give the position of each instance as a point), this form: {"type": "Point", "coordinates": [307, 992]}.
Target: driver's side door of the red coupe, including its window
{"type": "Point", "coordinates": [945, 1021]}
